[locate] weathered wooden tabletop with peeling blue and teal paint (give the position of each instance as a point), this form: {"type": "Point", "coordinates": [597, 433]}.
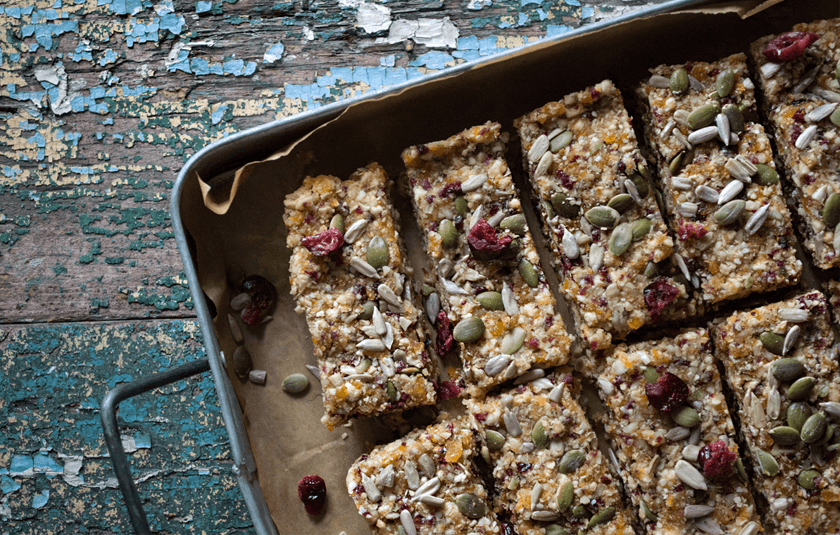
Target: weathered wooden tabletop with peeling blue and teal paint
{"type": "Point", "coordinates": [101, 103]}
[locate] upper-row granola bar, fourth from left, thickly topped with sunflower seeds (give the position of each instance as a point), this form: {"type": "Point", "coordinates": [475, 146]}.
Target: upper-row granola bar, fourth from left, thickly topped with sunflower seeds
{"type": "Point", "coordinates": [717, 171]}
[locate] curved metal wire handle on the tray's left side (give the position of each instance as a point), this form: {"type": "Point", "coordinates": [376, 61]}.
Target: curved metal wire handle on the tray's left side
{"type": "Point", "coordinates": [110, 404]}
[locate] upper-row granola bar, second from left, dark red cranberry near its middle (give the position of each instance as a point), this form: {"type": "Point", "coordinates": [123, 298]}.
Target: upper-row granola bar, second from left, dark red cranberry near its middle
{"type": "Point", "coordinates": [489, 278]}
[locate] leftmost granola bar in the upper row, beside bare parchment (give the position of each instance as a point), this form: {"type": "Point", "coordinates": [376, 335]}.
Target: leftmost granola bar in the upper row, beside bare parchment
{"type": "Point", "coordinates": [348, 276]}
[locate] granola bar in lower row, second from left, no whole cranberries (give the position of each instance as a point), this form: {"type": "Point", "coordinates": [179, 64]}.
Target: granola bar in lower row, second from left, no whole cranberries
{"type": "Point", "coordinates": [548, 472]}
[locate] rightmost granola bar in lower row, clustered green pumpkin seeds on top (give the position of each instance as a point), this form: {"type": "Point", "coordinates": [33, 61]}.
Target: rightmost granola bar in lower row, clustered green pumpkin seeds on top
{"type": "Point", "coordinates": [783, 372]}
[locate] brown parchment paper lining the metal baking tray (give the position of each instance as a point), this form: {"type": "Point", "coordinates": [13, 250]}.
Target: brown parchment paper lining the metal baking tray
{"type": "Point", "coordinates": [235, 220]}
